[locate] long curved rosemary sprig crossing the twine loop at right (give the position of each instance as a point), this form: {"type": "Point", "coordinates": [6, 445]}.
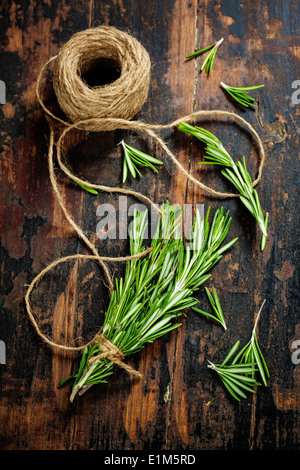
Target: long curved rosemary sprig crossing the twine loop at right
{"type": "Point", "coordinates": [237, 174]}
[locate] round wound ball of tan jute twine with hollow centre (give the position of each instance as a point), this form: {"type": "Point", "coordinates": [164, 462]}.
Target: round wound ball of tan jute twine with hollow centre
{"type": "Point", "coordinates": [121, 99]}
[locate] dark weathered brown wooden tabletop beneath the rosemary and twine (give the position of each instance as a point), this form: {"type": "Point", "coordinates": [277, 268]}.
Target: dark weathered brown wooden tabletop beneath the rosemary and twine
{"type": "Point", "coordinates": [179, 404]}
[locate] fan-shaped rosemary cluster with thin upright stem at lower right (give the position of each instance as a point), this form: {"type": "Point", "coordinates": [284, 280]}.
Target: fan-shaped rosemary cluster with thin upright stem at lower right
{"type": "Point", "coordinates": [239, 376]}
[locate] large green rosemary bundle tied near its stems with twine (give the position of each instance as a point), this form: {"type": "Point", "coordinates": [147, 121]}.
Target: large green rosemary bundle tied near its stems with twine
{"type": "Point", "coordinates": [155, 290]}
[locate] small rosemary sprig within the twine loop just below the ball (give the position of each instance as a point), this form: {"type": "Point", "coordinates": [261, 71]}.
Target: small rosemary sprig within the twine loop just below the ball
{"type": "Point", "coordinates": [134, 157]}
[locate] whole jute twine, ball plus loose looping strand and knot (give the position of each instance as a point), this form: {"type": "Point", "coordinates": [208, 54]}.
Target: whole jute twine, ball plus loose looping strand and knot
{"type": "Point", "coordinates": [107, 108]}
